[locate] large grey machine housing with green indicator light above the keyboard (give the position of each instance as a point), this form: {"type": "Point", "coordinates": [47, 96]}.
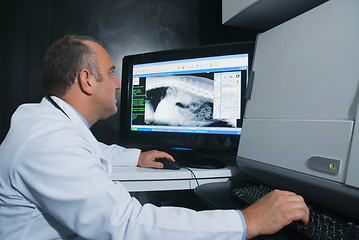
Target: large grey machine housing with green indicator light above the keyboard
{"type": "Point", "coordinates": [301, 125]}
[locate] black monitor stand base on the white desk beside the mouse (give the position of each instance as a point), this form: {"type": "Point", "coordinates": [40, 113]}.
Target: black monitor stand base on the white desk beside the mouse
{"type": "Point", "coordinates": [191, 158]}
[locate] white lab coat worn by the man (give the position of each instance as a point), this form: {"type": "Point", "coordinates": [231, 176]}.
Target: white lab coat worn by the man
{"type": "Point", "coordinates": [54, 184]}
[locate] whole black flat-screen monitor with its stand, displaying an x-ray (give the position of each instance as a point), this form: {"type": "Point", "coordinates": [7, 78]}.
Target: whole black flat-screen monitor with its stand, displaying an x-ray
{"type": "Point", "coordinates": [188, 102]}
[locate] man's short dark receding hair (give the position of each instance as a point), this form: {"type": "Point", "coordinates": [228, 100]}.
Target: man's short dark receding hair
{"type": "Point", "coordinates": [64, 60]}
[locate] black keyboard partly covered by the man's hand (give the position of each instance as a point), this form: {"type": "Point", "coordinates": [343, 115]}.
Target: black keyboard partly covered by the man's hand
{"type": "Point", "coordinates": [321, 226]}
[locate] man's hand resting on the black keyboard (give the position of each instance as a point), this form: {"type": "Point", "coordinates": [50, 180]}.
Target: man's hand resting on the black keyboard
{"type": "Point", "coordinates": [274, 211]}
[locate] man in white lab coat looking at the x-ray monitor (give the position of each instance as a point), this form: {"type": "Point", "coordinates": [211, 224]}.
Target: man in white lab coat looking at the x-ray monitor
{"type": "Point", "coordinates": [55, 183]}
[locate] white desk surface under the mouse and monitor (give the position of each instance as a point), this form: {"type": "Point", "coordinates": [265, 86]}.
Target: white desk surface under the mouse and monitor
{"type": "Point", "coordinates": [137, 179]}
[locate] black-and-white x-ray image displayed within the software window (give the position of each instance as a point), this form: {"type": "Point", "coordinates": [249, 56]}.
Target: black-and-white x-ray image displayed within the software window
{"type": "Point", "coordinates": [184, 100]}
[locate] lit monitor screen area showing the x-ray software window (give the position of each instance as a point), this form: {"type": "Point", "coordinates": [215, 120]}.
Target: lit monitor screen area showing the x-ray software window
{"type": "Point", "coordinates": [201, 95]}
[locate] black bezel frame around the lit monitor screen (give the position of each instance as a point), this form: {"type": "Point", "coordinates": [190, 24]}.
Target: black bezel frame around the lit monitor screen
{"type": "Point", "coordinates": [165, 141]}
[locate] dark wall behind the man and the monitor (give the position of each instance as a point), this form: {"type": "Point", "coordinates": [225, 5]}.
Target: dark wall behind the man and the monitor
{"type": "Point", "coordinates": [124, 26]}
